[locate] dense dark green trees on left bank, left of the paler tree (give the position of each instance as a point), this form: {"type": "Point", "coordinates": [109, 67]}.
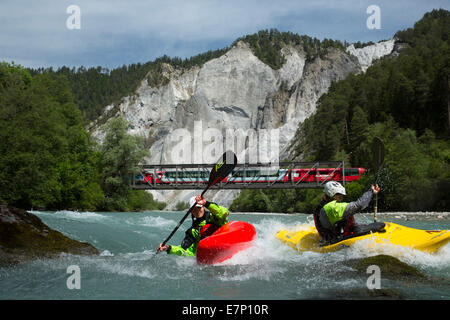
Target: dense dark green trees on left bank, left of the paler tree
{"type": "Point", "coordinates": [44, 145]}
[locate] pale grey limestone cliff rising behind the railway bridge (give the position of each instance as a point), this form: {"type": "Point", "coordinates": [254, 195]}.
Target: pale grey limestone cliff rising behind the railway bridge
{"type": "Point", "coordinates": [237, 91]}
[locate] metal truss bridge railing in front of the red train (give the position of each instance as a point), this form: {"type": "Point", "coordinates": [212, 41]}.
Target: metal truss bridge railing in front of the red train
{"type": "Point", "coordinates": [244, 176]}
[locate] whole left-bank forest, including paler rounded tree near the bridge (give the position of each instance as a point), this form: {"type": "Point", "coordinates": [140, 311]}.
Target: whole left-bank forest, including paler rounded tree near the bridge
{"type": "Point", "coordinates": [47, 158]}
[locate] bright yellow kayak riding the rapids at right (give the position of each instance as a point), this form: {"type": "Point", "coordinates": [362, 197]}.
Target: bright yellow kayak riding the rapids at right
{"type": "Point", "coordinates": [306, 238]}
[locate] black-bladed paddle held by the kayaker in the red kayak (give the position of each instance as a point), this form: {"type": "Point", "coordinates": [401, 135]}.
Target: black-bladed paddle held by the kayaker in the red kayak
{"type": "Point", "coordinates": [224, 166]}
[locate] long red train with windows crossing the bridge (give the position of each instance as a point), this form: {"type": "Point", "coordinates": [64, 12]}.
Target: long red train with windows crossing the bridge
{"type": "Point", "coordinates": [254, 176]}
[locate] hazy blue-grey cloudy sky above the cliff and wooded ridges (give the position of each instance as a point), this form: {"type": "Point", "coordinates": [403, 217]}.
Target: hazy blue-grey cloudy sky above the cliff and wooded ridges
{"type": "Point", "coordinates": [111, 33]}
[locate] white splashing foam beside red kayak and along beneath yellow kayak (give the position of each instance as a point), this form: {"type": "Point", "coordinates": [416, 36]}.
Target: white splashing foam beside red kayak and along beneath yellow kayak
{"type": "Point", "coordinates": [270, 253]}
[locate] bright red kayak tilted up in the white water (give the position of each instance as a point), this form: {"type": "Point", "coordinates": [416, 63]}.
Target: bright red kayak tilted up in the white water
{"type": "Point", "coordinates": [228, 240]}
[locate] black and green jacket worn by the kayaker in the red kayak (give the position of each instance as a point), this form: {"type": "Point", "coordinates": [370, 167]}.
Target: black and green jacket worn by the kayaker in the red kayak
{"type": "Point", "coordinates": [217, 216]}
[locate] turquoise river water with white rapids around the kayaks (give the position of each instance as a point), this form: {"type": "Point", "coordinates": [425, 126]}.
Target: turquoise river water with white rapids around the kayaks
{"type": "Point", "coordinates": [128, 267]}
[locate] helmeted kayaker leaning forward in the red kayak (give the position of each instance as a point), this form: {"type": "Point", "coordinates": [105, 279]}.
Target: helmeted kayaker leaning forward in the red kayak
{"type": "Point", "coordinates": [204, 223]}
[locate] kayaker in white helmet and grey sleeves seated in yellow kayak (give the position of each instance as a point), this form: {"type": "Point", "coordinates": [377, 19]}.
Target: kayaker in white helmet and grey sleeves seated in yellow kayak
{"type": "Point", "coordinates": [335, 222]}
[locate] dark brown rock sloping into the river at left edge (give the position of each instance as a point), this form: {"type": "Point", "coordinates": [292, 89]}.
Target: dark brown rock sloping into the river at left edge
{"type": "Point", "coordinates": [23, 236]}
